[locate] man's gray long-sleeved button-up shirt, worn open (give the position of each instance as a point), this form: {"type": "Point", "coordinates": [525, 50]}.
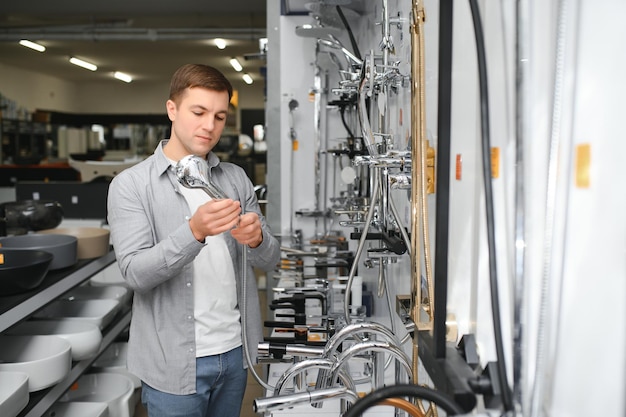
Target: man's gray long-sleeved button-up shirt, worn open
{"type": "Point", "coordinates": [155, 250]}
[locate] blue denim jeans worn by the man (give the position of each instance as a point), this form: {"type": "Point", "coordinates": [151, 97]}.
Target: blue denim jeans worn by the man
{"type": "Point", "coordinates": [220, 386]}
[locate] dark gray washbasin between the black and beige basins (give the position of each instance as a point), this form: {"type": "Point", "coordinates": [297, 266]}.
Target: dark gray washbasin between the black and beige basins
{"type": "Point", "coordinates": [62, 247]}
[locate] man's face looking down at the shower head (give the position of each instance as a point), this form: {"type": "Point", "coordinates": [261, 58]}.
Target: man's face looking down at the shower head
{"type": "Point", "coordinates": [197, 122]}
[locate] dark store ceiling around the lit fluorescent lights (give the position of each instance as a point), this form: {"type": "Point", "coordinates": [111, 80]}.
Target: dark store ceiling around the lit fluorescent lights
{"type": "Point", "coordinates": [147, 39]}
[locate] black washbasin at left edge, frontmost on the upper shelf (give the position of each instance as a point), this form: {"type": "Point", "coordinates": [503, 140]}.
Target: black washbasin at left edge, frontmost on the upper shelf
{"type": "Point", "coordinates": [22, 270]}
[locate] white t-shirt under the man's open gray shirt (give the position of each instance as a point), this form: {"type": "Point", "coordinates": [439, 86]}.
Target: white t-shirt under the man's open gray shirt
{"type": "Point", "coordinates": [217, 319]}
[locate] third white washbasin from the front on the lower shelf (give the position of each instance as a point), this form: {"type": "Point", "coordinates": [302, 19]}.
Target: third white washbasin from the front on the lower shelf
{"type": "Point", "coordinates": [85, 338]}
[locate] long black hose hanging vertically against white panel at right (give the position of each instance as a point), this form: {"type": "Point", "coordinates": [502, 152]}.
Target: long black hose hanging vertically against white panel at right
{"type": "Point", "coordinates": [507, 401]}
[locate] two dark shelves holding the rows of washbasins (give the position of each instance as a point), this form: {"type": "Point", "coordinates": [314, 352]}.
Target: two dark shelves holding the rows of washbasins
{"type": "Point", "coordinates": [16, 308]}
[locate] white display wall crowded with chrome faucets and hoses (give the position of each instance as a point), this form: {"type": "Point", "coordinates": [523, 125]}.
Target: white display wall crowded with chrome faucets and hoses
{"type": "Point", "coordinates": [385, 102]}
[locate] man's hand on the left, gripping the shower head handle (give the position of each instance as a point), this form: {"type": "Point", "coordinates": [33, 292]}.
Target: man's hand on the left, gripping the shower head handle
{"type": "Point", "coordinates": [214, 217]}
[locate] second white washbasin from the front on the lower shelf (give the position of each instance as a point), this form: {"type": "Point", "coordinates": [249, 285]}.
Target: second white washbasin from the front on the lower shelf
{"type": "Point", "coordinates": [46, 359]}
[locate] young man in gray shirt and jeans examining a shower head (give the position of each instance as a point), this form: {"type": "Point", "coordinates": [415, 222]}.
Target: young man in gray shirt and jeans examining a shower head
{"type": "Point", "coordinates": [181, 253]}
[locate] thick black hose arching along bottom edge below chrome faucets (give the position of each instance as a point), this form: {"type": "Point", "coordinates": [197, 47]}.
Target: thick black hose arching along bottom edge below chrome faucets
{"type": "Point", "coordinates": [404, 390]}
